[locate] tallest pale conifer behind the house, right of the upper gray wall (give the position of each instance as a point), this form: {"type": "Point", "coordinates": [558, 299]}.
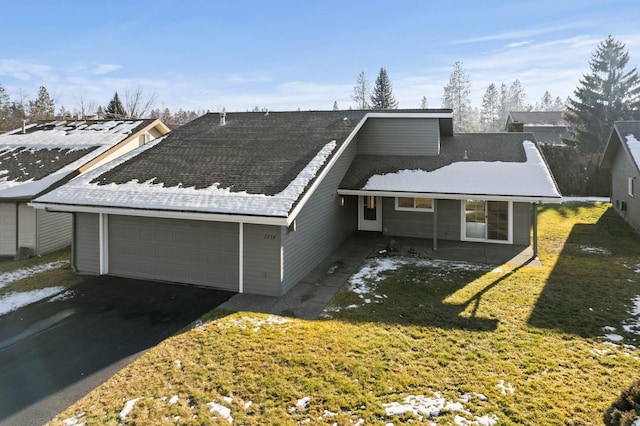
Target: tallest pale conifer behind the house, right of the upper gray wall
{"type": "Point", "coordinates": [457, 96]}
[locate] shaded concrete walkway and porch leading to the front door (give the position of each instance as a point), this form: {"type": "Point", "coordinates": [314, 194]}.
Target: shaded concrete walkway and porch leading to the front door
{"type": "Point", "coordinates": [309, 297]}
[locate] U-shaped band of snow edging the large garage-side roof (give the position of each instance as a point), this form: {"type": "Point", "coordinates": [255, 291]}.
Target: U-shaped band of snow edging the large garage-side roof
{"type": "Point", "coordinates": [151, 196]}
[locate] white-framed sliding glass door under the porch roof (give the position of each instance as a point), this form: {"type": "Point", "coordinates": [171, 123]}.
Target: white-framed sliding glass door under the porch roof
{"type": "Point", "coordinates": [487, 221]}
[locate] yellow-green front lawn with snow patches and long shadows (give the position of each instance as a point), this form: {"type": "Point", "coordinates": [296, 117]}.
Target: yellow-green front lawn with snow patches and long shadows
{"type": "Point", "coordinates": [459, 343]}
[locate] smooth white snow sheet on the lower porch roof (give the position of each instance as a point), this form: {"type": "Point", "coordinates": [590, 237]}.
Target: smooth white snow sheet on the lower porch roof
{"type": "Point", "coordinates": [528, 179]}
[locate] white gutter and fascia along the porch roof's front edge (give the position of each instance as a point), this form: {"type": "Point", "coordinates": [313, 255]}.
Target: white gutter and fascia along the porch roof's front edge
{"type": "Point", "coordinates": [452, 196]}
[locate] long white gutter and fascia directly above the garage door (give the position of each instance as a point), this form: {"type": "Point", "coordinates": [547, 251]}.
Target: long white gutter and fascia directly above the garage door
{"type": "Point", "coordinates": [164, 214]}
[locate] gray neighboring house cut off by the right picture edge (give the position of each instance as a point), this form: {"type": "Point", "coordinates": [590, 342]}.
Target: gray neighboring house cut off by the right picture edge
{"type": "Point", "coordinates": [622, 157]}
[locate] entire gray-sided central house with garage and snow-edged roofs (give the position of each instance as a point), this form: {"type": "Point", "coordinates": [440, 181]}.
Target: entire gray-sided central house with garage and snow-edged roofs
{"type": "Point", "coordinates": [251, 202]}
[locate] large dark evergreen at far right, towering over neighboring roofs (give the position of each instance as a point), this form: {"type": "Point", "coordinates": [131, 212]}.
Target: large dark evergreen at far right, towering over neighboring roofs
{"type": "Point", "coordinates": [607, 94]}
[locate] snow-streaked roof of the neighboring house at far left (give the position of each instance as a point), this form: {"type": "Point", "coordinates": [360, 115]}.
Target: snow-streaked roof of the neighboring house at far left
{"type": "Point", "coordinates": [48, 153]}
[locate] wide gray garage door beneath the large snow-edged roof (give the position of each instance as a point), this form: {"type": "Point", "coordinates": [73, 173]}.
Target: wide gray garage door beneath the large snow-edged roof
{"type": "Point", "coordinates": [183, 251]}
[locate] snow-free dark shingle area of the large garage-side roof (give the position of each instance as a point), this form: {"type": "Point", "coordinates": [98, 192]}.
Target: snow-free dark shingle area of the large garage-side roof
{"type": "Point", "coordinates": [256, 153]}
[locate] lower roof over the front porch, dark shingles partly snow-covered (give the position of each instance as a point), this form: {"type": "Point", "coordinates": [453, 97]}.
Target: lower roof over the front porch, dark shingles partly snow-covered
{"type": "Point", "coordinates": [484, 165]}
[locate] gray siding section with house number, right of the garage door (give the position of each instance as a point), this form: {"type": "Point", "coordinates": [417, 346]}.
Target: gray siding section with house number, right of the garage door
{"type": "Point", "coordinates": [262, 266]}
